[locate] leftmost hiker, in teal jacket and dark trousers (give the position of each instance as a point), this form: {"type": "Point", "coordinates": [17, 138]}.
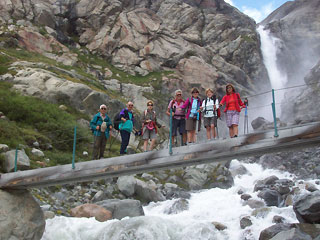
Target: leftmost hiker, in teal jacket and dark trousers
{"type": "Point", "coordinates": [100, 126]}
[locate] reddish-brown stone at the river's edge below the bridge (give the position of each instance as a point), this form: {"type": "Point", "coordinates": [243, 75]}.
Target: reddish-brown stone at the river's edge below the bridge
{"type": "Point", "coordinates": [91, 210]}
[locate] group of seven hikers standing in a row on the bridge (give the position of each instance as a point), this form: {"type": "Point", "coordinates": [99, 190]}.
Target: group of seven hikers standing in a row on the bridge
{"type": "Point", "coordinates": [185, 116]}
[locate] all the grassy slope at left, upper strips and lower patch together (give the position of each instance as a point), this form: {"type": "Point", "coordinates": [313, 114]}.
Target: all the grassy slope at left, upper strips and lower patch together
{"type": "Point", "coordinates": [32, 119]}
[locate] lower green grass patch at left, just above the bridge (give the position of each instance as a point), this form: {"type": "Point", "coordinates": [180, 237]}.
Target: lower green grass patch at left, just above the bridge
{"type": "Point", "coordinates": [31, 119]}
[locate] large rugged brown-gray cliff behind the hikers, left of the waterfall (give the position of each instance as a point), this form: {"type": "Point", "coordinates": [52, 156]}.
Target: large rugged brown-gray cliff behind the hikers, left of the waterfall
{"type": "Point", "coordinates": [205, 43]}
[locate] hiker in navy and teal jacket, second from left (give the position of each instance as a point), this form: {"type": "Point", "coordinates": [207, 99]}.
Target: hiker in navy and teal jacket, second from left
{"type": "Point", "coordinates": [126, 126]}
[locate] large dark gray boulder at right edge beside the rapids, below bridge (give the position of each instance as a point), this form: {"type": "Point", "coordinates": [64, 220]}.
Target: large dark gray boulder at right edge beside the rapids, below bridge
{"type": "Point", "coordinates": [307, 208]}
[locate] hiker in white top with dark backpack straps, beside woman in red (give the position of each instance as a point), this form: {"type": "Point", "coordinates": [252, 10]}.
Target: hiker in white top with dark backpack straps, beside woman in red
{"type": "Point", "coordinates": [209, 107]}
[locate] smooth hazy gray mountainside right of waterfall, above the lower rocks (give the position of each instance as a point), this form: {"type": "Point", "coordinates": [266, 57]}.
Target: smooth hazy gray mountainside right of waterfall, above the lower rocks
{"type": "Point", "coordinates": [297, 24]}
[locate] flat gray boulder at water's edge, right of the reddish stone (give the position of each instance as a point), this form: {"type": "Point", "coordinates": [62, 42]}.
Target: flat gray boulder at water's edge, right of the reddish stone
{"type": "Point", "coordinates": [123, 208]}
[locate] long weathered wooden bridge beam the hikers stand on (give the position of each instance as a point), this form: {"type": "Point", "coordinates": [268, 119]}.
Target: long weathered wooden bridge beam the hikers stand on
{"type": "Point", "coordinates": [211, 151]}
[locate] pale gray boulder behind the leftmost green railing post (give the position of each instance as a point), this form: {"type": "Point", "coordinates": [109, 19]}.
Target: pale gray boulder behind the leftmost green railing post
{"type": "Point", "coordinates": [23, 161]}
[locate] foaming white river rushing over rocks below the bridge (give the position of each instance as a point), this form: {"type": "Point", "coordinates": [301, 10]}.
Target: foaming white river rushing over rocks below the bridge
{"type": "Point", "coordinates": [221, 205]}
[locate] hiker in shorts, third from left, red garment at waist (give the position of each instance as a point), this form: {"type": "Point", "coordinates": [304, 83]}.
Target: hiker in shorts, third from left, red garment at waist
{"type": "Point", "coordinates": [149, 126]}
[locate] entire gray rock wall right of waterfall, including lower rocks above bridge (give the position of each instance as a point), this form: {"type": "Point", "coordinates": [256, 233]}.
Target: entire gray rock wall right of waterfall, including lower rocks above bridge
{"type": "Point", "coordinates": [297, 24]}
